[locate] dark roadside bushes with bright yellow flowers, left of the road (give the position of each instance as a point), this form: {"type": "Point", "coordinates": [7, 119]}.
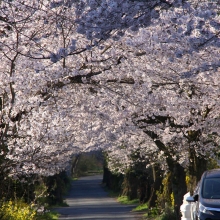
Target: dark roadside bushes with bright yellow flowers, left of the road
{"type": "Point", "coordinates": [33, 201]}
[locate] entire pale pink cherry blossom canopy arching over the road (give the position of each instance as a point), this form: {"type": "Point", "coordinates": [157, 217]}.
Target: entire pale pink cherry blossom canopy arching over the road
{"type": "Point", "coordinates": [118, 75]}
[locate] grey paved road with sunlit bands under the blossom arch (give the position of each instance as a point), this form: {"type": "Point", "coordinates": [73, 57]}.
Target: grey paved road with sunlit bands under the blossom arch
{"type": "Point", "coordinates": [88, 200]}
